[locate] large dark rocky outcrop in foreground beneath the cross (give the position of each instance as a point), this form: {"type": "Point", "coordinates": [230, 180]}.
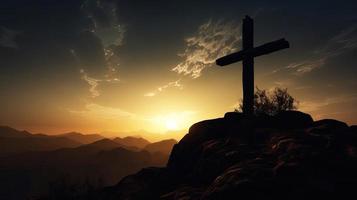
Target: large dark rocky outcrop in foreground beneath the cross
{"type": "Point", "coordinates": [288, 156]}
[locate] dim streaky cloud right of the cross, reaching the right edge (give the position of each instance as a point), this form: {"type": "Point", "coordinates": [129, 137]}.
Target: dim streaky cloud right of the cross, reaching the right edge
{"type": "Point", "coordinates": [344, 41]}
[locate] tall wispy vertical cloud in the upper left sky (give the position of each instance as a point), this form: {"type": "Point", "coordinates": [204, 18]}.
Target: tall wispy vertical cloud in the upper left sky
{"type": "Point", "coordinates": [96, 50]}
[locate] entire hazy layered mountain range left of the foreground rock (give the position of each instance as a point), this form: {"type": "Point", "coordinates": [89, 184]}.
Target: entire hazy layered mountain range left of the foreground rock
{"type": "Point", "coordinates": [35, 165]}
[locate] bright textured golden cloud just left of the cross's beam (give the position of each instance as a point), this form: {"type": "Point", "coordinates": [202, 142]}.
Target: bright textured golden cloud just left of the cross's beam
{"type": "Point", "coordinates": [212, 40]}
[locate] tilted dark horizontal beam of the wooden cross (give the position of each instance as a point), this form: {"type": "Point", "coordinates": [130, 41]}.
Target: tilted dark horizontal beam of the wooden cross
{"type": "Point", "coordinates": [257, 51]}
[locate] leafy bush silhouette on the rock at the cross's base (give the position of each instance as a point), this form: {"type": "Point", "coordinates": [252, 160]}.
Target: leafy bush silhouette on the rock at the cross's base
{"type": "Point", "coordinates": [271, 103]}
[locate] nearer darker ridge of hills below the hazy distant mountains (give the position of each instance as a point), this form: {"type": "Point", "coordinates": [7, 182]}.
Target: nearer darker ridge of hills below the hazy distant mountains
{"type": "Point", "coordinates": [72, 170]}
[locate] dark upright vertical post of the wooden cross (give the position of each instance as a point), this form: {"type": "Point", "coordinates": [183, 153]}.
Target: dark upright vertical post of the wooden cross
{"type": "Point", "coordinates": [248, 67]}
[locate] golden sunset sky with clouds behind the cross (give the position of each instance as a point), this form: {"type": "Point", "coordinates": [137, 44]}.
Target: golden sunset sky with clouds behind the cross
{"type": "Point", "coordinates": [128, 65]}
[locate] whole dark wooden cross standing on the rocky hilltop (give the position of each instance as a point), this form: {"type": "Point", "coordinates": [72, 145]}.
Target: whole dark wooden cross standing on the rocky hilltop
{"type": "Point", "coordinates": [246, 55]}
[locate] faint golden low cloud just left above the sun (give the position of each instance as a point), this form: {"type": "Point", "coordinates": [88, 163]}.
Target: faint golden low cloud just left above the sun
{"type": "Point", "coordinates": [102, 112]}
